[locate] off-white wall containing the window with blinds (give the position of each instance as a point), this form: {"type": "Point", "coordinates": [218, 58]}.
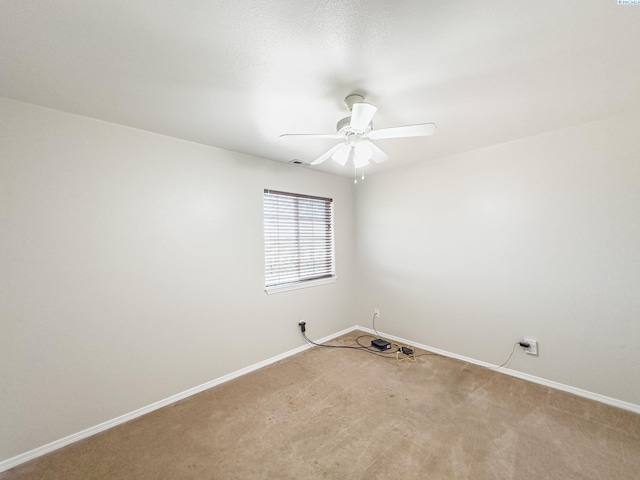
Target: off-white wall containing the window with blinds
{"type": "Point", "coordinates": [132, 269]}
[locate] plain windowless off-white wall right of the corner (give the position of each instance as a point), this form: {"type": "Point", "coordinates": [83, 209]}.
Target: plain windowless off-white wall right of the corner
{"type": "Point", "coordinates": [538, 237]}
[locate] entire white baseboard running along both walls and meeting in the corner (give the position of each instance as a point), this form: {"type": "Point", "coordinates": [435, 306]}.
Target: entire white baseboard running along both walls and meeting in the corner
{"type": "Point", "coordinates": [50, 447]}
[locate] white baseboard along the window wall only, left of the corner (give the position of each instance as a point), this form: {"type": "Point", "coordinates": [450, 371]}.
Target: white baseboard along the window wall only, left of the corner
{"type": "Point", "coordinates": [55, 445]}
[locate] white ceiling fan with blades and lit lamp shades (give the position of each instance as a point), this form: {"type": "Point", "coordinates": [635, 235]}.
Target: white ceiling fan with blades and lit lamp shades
{"type": "Point", "coordinates": [356, 132]}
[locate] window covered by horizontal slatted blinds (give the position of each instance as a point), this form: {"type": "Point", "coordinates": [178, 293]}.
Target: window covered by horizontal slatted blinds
{"type": "Point", "coordinates": [298, 241]}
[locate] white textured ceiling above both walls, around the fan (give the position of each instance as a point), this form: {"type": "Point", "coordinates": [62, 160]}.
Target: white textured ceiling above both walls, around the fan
{"type": "Point", "coordinates": [237, 74]}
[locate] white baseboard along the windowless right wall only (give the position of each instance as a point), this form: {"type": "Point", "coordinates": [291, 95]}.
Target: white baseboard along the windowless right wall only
{"type": "Point", "coordinates": [514, 373]}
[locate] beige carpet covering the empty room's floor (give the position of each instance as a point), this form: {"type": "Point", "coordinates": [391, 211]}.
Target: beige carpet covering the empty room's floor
{"type": "Point", "coordinates": [344, 414]}
